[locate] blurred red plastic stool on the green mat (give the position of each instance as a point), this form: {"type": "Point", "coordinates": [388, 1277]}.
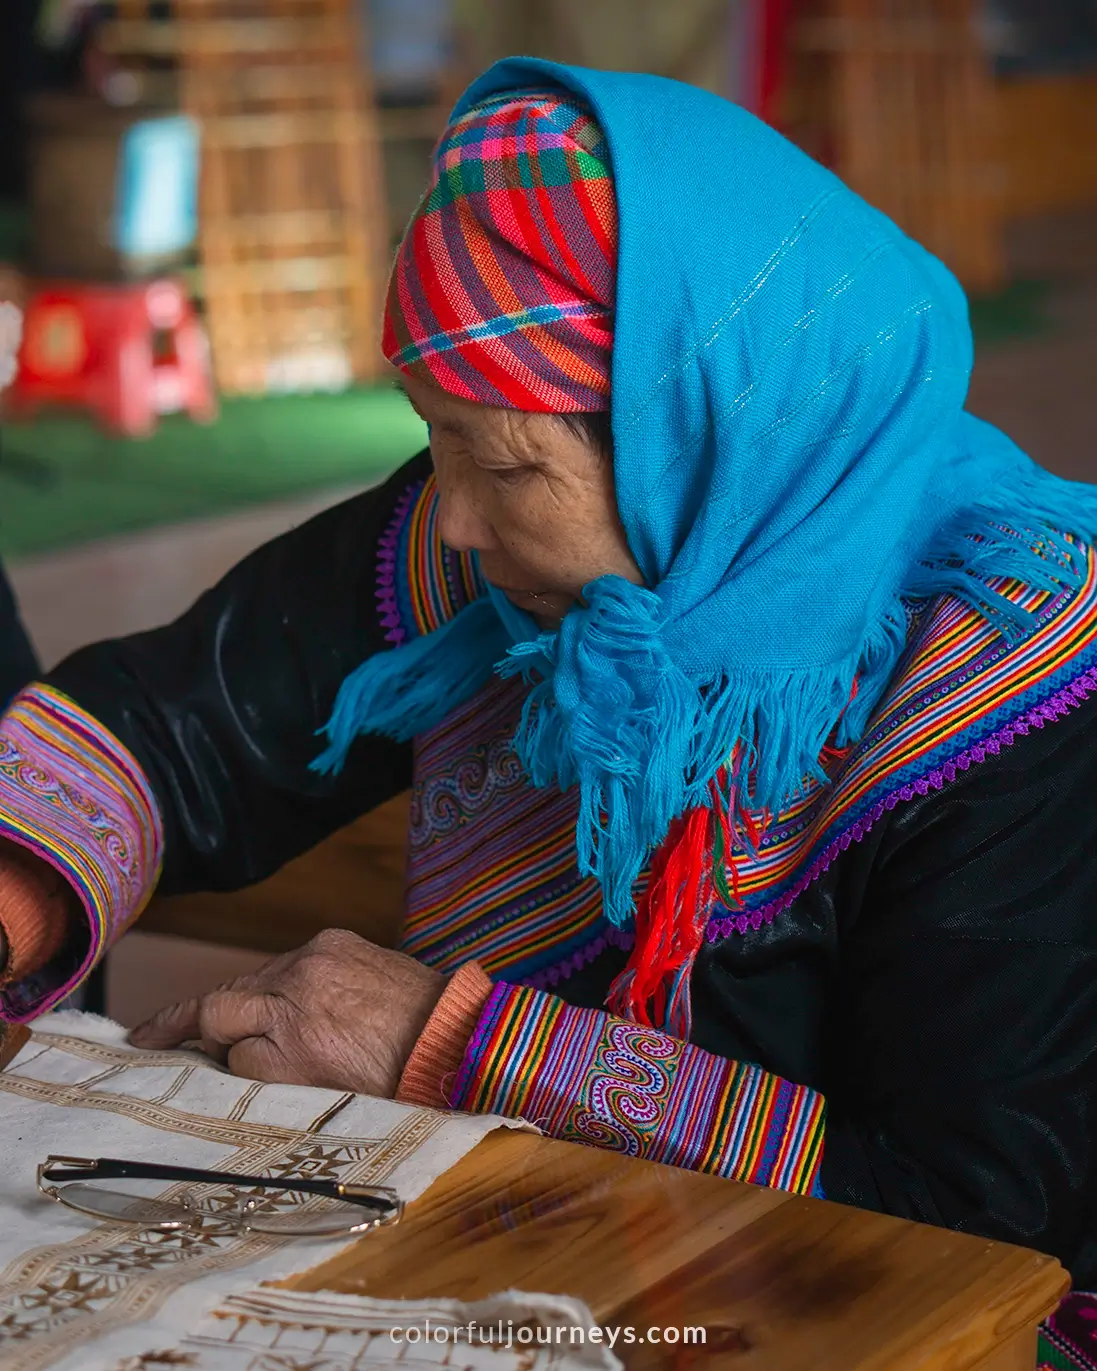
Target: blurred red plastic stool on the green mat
{"type": "Point", "coordinates": [128, 353]}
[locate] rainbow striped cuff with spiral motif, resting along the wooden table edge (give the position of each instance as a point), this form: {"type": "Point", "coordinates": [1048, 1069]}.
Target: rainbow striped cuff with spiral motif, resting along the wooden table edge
{"type": "Point", "coordinates": [586, 1077]}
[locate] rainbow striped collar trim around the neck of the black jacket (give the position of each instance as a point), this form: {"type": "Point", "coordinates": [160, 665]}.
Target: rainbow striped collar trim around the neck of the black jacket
{"type": "Point", "coordinates": [493, 869]}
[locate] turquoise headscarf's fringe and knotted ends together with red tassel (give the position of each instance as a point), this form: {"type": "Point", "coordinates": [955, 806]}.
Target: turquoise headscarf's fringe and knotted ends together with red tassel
{"type": "Point", "coordinates": [612, 714]}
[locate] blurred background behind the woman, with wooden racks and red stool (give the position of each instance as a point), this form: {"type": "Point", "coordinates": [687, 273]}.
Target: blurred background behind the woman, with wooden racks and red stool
{"type": "Point", "coordinates": [200, 201]}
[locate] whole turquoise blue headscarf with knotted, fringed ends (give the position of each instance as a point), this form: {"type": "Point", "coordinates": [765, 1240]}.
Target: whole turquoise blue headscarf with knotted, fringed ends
{"type": "Point", "coordinates": [793, 464]}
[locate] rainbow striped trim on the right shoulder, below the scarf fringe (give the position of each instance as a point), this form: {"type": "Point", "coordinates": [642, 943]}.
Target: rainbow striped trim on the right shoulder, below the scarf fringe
{"type": "Point", "coordinates": [962, 696]}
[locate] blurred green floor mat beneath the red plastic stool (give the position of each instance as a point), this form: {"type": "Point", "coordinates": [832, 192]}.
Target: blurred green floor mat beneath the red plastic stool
{"type": "Point", "coordinates": [64, 482]}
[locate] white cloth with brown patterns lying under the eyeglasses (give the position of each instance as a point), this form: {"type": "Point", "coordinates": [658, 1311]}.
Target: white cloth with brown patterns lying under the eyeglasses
{"type": "Point", "coordinates": [82, 1296]}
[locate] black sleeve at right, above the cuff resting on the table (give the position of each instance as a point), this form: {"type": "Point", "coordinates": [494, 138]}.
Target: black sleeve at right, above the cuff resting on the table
{"type": "Point", "coordinates": [967, 1045]}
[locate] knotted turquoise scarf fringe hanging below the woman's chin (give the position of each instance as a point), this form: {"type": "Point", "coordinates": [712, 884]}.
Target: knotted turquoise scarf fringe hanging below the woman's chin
{"type": "Point", "coordinates": [645, 747]}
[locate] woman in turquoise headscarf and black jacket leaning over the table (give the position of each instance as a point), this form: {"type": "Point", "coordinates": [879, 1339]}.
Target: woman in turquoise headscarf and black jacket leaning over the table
{"type": "Point", "coordinates": [743, 682]}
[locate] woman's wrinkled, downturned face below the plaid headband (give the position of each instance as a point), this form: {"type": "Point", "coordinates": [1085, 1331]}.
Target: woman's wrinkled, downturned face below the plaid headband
{"type": "Point", "coordinates": [534, 500]}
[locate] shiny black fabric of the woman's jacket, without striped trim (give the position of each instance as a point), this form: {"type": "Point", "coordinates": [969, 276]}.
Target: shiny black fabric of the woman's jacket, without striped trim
{"type": "Point", "coordinates": [939, 985]}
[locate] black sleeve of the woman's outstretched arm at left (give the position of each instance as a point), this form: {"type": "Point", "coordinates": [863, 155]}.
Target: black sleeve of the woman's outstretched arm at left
{"type": "Point", "coordinates": [223, 707]}
